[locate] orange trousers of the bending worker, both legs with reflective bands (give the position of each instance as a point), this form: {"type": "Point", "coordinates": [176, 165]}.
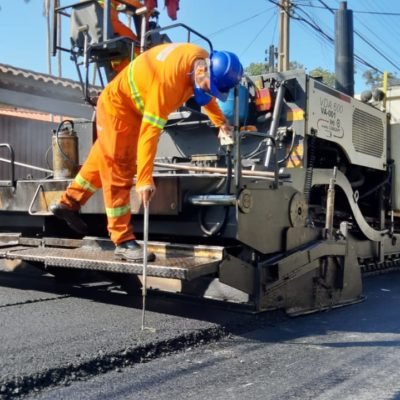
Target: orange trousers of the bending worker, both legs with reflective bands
{"type": "Point", "coordinates": [111, 165]}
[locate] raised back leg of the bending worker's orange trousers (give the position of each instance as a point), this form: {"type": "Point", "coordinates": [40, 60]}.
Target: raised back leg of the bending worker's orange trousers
{"type": "Point", "coordinates": [86, 182]}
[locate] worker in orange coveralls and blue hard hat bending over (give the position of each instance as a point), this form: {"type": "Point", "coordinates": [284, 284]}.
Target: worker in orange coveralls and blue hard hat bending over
{"type": "Point", "coordinates": [132, 110]}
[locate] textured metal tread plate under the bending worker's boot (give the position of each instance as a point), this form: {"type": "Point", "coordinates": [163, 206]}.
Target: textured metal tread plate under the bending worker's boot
{"type": "Point", "coordinates": [177, 266]}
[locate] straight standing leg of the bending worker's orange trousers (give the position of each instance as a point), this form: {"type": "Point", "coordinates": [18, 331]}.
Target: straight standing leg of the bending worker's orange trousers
{"type": "Point", "coordinates": [117, 164]}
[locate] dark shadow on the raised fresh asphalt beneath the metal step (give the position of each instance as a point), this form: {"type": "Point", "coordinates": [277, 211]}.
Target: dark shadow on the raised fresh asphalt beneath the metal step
{"type": "Point", "coordinates": [105, 288]}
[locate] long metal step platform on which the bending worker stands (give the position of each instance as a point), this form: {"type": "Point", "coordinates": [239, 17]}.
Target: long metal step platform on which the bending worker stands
{"type": "Point", "coordinates": [184, 262]}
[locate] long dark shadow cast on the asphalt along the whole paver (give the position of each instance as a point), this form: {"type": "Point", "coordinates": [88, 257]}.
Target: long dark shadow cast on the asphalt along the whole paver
{"type": "Point", "coordinates": [378, 313]}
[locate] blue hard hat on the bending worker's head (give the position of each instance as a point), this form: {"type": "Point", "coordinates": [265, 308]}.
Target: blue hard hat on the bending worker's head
{"type": "Point", "coordinates": [225, 73]}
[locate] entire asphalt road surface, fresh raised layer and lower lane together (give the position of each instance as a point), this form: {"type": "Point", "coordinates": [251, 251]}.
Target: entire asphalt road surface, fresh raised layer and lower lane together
{"type": "Point", "coordinates": [59, 343]}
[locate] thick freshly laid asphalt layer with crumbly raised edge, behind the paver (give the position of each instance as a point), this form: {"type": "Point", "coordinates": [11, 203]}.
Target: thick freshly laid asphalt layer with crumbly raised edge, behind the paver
{"type": "Point", "coordinates": [53, 334]}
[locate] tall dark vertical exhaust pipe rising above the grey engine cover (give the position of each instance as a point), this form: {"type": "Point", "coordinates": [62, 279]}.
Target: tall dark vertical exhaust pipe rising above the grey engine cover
{"type": "Point", "coordinates": [344, 50]}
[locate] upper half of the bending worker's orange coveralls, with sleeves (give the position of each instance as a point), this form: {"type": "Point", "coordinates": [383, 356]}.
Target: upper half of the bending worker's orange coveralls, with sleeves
{"type": "Point", "coordinates": [155, 84]}
